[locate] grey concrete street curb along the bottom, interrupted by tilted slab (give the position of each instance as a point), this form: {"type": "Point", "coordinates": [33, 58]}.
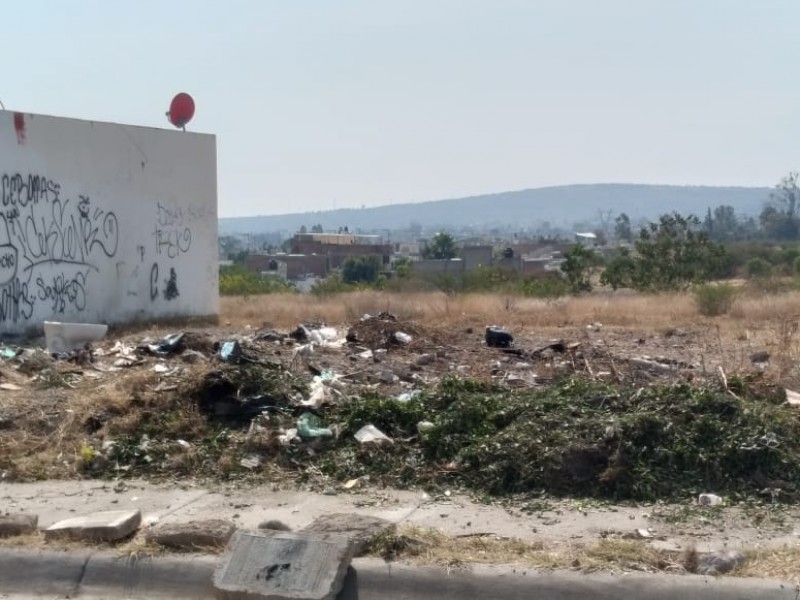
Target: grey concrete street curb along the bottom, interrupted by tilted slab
{"type": "Point", "coordinates": [49, 574]}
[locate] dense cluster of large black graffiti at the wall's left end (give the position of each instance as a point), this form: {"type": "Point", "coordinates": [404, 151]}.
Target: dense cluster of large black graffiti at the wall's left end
{"type": "Point", "coordinates": [50, 245]}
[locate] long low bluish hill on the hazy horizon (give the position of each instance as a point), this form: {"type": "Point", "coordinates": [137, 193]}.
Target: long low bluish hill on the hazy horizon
{"type": "Point", "coordinates": [561, 206]}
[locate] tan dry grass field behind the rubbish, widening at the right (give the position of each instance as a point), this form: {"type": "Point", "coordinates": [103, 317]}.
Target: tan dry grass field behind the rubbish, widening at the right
{"type": "Point", "coordinates": [756, 322]}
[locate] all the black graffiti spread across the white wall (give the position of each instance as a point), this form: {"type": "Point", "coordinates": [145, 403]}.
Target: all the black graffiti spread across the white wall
{"type": "Point", "coordinates": [54, 244]}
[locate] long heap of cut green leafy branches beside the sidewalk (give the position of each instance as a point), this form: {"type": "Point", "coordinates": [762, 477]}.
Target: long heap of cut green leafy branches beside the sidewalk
{"type": "Point", "coordinates": [576, 438]}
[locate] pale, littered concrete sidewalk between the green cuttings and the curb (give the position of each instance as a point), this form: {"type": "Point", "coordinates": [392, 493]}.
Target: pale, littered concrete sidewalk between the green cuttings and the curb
{"type": "Point", "coordinates": [564, 522]}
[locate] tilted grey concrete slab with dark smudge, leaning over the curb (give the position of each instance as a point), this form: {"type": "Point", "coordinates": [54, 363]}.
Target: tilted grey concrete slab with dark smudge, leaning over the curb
{"type": "Point", "coordinates": [284, 566]}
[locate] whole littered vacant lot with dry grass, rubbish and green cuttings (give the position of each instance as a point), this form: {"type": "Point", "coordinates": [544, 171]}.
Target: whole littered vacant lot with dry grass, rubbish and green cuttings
{"type": "Point", "coordinates": [606, 398]}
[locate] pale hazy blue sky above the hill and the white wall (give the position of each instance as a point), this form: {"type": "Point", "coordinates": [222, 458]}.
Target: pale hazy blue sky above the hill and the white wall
{"type": "Point", "coordinates": [339, 103]}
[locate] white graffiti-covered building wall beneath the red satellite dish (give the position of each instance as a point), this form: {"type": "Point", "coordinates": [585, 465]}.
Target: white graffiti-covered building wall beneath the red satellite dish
{"type": "Point", "coordinates": [104, 223]}
